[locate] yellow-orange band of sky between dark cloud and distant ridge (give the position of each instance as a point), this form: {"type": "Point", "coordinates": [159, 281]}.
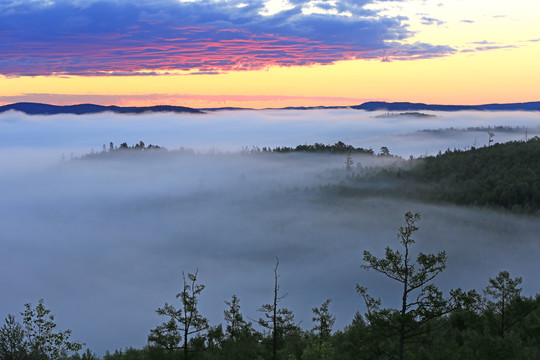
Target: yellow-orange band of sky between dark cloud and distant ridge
{"type": "Point", "coordinates": [504, 75]}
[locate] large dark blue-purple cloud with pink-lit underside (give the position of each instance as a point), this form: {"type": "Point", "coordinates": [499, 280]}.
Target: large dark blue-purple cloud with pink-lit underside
{"type": "Point", "coordinates": [133, 38]}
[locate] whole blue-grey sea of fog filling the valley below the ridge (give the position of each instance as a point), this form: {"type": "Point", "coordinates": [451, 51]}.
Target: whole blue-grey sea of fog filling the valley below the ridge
{"type": "Point", "coordinates": [105, 242]}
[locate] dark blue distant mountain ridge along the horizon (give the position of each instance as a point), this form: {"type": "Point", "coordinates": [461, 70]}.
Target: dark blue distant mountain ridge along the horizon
{"type": "Point", "coordinates": [81, 109]}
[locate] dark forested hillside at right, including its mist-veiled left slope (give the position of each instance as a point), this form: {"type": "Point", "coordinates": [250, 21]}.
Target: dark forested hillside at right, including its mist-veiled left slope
{"type": "Point", "coordinates": [501, 176]}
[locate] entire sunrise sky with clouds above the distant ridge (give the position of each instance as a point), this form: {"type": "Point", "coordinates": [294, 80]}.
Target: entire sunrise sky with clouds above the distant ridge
{"type": "Point", "coordinates": [274, 53]}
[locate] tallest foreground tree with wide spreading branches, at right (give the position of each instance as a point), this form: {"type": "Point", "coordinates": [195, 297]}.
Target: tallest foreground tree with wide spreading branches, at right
{"type": "Point", "coordinates": [415, 277]}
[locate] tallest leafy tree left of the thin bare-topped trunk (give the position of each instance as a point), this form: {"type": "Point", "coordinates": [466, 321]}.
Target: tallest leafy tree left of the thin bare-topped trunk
{"type": "Point", "coordinates": [184, 321]}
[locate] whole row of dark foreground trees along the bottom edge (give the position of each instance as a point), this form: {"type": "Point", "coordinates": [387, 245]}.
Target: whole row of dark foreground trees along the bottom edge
{"type": "Point", "coordinates": [495, 323]}
